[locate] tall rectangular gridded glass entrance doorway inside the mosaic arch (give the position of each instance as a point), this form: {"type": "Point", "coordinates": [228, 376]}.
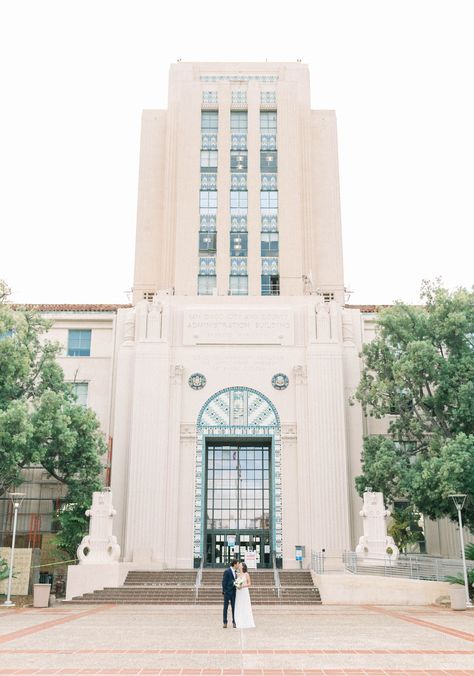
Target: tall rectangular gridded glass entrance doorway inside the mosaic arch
{"type": "Point", "coordinates": [238, 504]}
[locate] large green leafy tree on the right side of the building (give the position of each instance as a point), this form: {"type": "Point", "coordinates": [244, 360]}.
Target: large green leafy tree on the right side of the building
{"type": "Point", "coordinates": [419, 370]}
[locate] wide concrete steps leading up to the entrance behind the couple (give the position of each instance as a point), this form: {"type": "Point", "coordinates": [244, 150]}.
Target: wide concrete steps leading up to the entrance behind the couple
{"type": "Point", "coordinates": [177, 587]}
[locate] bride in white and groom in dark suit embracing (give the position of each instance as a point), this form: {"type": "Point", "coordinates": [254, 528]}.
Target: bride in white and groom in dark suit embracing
{"type": "Point", "coordinates": [235, 588]}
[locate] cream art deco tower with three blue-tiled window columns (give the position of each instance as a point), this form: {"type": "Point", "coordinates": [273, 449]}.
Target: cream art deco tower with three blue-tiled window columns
{"type": "Point", "coordinates": [239, 189]}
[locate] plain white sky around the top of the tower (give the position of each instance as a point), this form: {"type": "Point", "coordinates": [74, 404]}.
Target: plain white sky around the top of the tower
{"type": "Point", "coordinates": [74, 77]}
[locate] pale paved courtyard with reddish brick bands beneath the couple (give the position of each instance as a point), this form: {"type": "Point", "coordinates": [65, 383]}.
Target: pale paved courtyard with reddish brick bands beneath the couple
{"type": "Point", "coordinates": [190, 640]}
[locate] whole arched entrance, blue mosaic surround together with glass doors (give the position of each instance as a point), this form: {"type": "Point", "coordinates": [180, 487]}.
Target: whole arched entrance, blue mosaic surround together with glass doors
{"type": "Point", "coordinates": [238, 479]}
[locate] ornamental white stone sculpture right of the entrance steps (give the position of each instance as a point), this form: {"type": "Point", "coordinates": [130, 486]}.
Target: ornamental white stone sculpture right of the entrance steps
{"type": "Point", "coordinates": [375, 543]}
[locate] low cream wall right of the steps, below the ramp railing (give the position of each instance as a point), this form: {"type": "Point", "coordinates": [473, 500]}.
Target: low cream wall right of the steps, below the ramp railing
{"type": "Point", "coordinates": [350, 589]}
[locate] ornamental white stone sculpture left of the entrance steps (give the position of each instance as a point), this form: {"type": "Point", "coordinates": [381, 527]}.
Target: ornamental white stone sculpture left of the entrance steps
{"type": "Point", "coordinates": [100, 546]}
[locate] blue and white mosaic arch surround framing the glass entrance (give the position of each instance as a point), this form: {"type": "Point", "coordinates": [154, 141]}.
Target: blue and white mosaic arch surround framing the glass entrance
{"type": "Point", "coordinates": [238, 412]}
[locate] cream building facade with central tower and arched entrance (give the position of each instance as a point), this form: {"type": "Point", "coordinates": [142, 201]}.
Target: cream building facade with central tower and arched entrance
{"type": "Point", "coordinates": [224, 389]}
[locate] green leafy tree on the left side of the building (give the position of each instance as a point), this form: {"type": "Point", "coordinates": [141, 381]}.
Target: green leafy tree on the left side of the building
{"type": "Point", "coordinates": [41, 422]}
